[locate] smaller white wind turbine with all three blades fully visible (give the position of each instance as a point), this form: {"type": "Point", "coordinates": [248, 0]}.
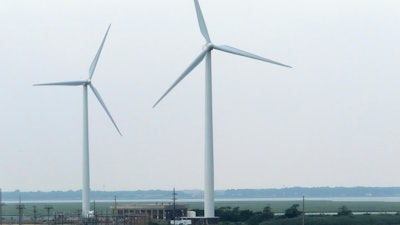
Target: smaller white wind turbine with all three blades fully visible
{"type": "Point", "coordinates": [85, 156]}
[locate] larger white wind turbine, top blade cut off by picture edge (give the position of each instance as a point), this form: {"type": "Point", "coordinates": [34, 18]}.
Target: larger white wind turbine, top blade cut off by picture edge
{"type": "Point", "coordinates": [208, 155]}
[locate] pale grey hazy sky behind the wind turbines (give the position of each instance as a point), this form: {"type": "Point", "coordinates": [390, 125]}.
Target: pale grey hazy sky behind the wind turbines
{"type": "Point", "coordinates": [332, 120]}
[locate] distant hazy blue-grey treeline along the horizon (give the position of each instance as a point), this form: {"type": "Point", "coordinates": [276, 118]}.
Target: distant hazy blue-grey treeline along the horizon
{"type": "Point", "coordinates": [293, 192]}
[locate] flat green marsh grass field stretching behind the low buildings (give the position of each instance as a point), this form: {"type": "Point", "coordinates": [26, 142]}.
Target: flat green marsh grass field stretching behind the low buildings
{"type": "Point", "coordinates": [277, 206]}
